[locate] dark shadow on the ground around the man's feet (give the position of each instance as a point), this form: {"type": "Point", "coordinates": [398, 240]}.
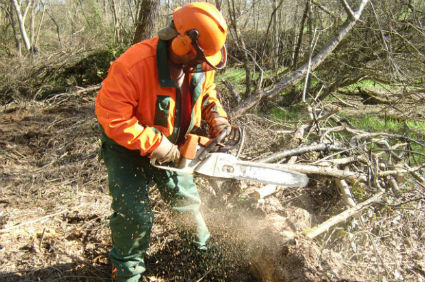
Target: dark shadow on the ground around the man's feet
{"type": "Point", "coordinates": [171, 263]}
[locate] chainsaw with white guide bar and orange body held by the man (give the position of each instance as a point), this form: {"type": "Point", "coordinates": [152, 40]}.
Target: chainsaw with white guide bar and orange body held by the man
{"type": "Point", "coordinates": [210, 157]}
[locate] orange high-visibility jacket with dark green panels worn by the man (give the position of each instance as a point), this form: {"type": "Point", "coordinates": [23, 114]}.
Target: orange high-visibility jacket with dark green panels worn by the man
{"type": "Point", "coordinates": [138, 101]}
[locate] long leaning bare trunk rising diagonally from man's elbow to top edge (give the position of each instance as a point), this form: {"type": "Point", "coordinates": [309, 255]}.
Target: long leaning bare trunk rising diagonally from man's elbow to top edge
{"type": "Point", "coordinates": [298, 75]}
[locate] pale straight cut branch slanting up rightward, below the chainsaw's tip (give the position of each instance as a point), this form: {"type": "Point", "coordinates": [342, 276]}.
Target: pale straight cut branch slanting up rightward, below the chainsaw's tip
{"type": "Point", "coordinates": [323, 227]}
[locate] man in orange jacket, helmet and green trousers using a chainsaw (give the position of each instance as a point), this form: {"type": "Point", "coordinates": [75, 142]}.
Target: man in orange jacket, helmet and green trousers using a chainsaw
{"type": "Point", "coordinates": [158, 91]}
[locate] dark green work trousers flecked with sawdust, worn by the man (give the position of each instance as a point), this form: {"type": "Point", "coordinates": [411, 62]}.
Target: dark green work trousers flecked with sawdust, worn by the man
{"type": "Point", "coordinates": [131, 222]}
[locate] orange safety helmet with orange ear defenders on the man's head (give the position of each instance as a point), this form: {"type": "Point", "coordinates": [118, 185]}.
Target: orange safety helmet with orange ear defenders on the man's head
{"type": "Point", "coordinates": [199, 27]}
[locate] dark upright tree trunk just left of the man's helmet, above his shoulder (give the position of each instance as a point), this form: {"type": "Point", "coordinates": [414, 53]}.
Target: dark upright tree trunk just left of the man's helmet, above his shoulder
{"type": "Point", "coordinates": [145, 20]}
